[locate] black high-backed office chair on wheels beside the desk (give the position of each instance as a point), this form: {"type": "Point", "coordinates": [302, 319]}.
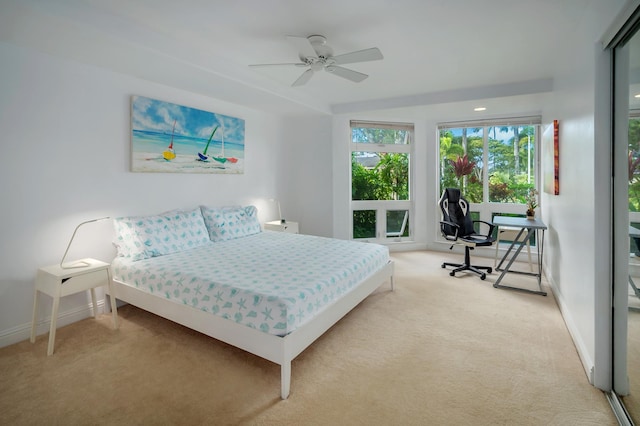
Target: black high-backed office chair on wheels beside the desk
{"type": "Point", "coordinates": [457, 226]}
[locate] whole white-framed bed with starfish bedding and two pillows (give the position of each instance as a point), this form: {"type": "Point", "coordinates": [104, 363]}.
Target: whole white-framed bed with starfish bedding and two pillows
{"type": "Point", "coordinates": [269, 293]}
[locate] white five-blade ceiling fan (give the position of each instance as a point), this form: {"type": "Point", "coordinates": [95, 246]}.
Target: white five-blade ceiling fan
{"type": "Point", "coordinates": [316, 55]}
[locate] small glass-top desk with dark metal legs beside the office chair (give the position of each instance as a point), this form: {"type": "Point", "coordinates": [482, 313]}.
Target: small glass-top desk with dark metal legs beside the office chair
{"type": "Point", "coordinates": [531, 227]}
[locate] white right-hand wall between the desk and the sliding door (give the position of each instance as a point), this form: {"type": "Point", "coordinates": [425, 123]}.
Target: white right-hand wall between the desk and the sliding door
{"type": "Point", "coordinates": [579, 217]}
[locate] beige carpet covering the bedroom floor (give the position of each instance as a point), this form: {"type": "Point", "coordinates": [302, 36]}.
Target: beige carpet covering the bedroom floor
{"type": "Point", "coordinates": [437, 351]}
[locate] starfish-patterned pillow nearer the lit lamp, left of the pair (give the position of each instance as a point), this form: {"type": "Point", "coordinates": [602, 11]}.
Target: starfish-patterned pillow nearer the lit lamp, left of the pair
{"type": "Point", "coordinates": [141, 237]}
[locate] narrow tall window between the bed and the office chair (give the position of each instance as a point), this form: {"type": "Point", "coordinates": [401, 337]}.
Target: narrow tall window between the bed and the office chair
{"type": "Point", "coordinates": [380, 181]}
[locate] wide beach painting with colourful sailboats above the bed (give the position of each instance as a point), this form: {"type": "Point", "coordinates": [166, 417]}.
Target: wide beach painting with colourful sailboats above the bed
{"type": "Point", "coordinates": [170, 138]}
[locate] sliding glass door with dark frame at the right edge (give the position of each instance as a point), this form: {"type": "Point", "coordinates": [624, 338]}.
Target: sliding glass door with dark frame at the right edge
{"type": "Point", "coordinates": [626, 223]}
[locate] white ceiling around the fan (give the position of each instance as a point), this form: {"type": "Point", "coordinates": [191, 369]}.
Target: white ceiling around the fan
{"type": "Point", "coordinates": [434, 50]}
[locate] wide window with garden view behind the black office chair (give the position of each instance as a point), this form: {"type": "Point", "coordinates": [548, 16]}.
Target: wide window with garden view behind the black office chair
{"type": "Point", "coordinates": [493, 162]}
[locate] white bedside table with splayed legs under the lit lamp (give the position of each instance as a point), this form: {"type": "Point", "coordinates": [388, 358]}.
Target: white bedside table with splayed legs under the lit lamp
{"type": "Point", "coordinates": [58, 282]}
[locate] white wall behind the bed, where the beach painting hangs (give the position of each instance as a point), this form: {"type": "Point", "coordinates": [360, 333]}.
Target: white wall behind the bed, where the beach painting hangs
{"type": "Point", "coordinates": [65, 142]}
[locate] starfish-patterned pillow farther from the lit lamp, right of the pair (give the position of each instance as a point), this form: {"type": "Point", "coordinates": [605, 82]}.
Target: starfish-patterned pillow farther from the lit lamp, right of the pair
{"type": "Point", "coordinates": [227, 223]}
